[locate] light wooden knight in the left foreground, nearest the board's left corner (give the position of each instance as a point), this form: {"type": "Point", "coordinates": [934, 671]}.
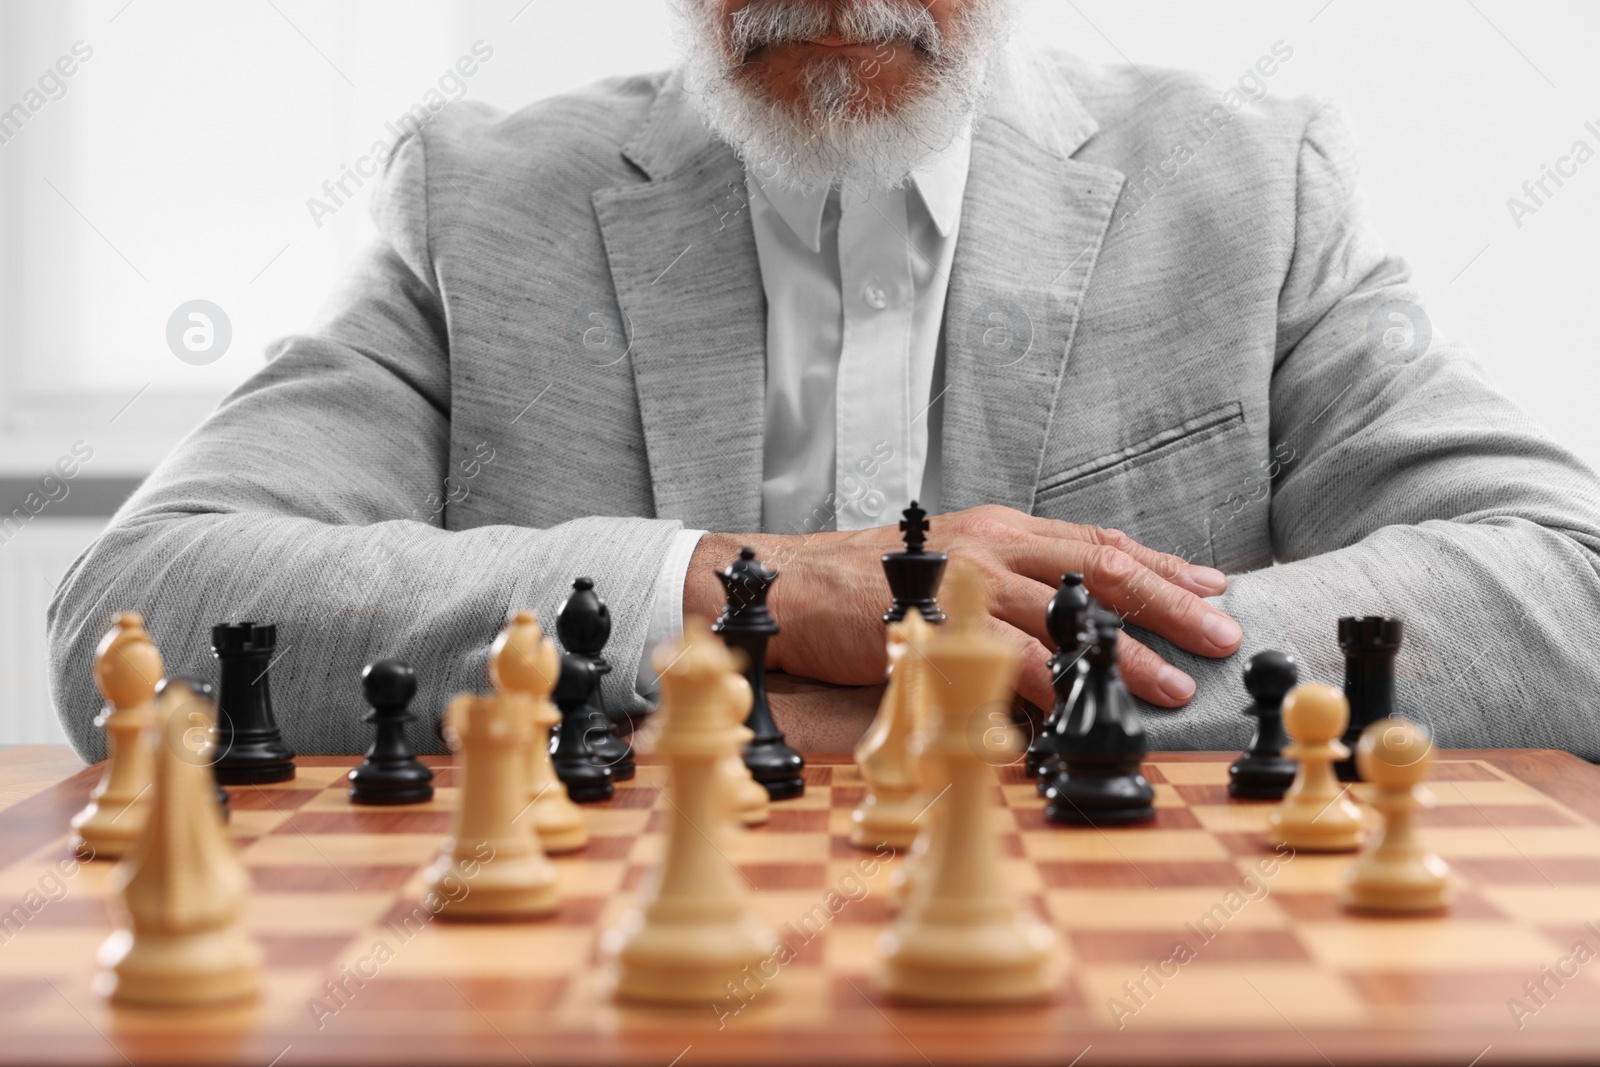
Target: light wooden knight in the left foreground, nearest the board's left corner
{"type": "Point", "coordinates": [180, 895]}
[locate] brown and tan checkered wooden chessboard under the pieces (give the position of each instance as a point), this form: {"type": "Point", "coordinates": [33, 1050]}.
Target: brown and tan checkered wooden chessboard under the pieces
{"type": "Point", "coordinates": [1276, 972]}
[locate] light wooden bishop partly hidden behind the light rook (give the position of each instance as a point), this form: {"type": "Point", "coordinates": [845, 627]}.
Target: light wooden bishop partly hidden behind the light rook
{"type": "Point", "coordinates": [524, 661]}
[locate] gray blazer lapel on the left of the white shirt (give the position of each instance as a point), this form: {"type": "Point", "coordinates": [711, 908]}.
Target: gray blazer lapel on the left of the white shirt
{"type": "Point", "coordinates": [687, 278]}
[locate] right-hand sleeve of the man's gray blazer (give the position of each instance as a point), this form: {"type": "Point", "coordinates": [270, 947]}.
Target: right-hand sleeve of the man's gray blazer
{"type": "Point", "coordinates": [1407, 486]}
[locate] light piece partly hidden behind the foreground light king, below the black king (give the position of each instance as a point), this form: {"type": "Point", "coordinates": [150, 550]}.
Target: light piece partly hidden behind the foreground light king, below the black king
{"type": "Point", "coordinates": [889, 767]}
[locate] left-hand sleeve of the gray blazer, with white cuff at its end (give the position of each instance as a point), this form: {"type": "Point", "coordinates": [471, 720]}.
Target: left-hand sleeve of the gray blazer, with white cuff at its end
{"type": "Point", "coordinates": [316, 498]}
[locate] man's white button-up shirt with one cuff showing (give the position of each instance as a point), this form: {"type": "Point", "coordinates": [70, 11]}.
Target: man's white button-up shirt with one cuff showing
{"type": "Point", "coordinates": [855, 298]}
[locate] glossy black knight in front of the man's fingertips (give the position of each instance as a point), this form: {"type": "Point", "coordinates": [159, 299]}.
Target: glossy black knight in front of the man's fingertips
{"type": "Point", "coordinates": [1098, 781]}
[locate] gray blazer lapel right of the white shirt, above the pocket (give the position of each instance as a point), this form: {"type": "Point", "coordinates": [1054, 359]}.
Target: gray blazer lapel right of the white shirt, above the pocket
{"type": "Point", "coordinates": [1033, 223]}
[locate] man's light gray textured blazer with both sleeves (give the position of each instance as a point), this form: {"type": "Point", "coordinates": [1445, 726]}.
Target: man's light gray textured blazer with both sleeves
{"type": "Point", "coordinates": [554, 358]}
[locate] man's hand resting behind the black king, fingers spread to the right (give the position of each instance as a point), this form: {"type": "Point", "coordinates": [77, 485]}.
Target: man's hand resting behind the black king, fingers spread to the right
{"type": "Point", "coordinates": [833, 596]}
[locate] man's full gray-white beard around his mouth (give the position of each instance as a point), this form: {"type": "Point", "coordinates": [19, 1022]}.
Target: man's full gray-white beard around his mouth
{"type": "Point", "coordinates": [839, 134]}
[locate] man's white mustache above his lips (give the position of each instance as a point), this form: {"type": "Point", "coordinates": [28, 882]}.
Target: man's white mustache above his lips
{"type": "Point", "coordinates": [866, 23]}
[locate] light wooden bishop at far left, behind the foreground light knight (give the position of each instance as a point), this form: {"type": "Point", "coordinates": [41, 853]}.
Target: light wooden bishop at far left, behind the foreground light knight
{"type": "Point", "coordinates": [127, 671]}
